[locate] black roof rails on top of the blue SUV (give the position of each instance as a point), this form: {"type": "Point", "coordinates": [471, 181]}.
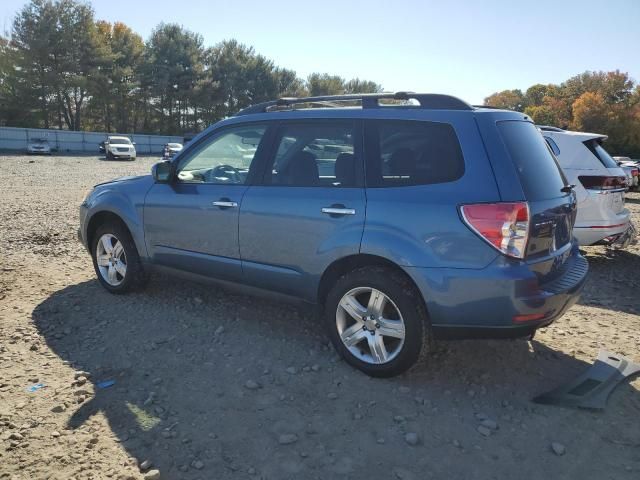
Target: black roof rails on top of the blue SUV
{"type": "Point", "coordinates": [368, 100]}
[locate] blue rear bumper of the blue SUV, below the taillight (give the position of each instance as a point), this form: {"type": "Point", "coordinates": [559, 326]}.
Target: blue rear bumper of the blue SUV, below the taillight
{"type": "Point", "coordinates": [483, 303]}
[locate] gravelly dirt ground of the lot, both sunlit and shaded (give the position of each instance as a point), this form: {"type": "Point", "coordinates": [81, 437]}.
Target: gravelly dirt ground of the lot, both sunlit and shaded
{"type": "Point", "coordinates": [214, 385]}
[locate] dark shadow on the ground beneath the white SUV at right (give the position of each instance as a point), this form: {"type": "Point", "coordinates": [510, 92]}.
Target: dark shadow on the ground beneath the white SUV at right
{"type": "Point", "coordinates": [610, 285]}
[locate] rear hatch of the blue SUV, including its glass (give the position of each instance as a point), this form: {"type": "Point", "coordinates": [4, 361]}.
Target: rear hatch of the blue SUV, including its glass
{"type": "Point", "coordinates": [552, 203]}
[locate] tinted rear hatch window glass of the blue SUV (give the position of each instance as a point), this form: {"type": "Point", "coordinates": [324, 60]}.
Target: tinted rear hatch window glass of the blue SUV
{"type": "Point", "coordinates": [540, 175]}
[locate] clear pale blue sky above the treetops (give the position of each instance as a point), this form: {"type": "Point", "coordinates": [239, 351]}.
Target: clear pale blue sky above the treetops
{"type": "Point", "coordinates": [465, 48]}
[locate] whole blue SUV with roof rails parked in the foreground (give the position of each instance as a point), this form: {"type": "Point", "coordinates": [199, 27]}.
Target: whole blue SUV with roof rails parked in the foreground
{"type": "Point", "coordinates": [467, 231]}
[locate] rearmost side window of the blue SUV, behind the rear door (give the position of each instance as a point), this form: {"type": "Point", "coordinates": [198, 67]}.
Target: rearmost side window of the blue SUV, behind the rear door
{"type": "Point", "coordinates": [403, 153]}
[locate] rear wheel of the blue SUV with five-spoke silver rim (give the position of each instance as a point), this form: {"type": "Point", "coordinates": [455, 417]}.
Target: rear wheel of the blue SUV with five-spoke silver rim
{"type": "Point", "coordinates": [402, 306]}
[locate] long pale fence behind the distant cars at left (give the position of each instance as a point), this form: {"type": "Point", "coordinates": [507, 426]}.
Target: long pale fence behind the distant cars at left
{"type": "Point", "coordinates": [66, 141]}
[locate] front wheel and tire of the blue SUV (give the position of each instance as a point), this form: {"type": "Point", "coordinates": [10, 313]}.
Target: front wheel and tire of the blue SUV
{"type": "Point", "coordinates": [132, 277]}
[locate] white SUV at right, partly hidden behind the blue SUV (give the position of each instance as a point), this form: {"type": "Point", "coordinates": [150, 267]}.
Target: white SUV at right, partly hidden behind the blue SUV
{"type": "Point", "coordinates": [599, 184]}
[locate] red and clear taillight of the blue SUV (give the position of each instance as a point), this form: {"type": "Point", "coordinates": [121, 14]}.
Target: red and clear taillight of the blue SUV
{"type": "Point", "coordinates": [503, 225]}
